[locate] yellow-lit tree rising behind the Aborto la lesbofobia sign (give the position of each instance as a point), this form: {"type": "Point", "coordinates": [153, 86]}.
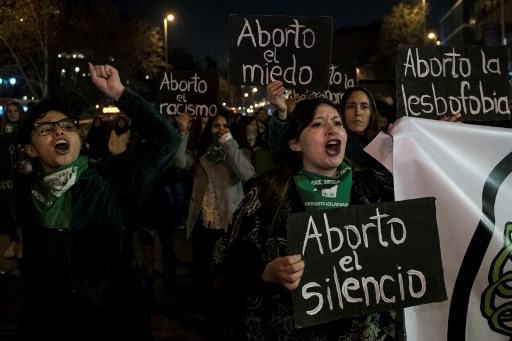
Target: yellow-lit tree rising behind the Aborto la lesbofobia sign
{"type": "Point", "coordinates": [405, 25]}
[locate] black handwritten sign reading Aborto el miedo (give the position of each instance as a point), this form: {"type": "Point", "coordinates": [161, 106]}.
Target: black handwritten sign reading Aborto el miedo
{"type": "Point", "coordinates": [294, 50]}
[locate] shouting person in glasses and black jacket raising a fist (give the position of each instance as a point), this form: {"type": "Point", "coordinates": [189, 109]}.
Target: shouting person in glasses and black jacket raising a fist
{"type": "Point", "coordinates": [80, 281]}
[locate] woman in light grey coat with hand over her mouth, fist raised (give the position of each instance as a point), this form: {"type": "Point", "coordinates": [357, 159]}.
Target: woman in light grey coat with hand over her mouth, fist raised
{"type": "Point", "coordinates": [220, 170]}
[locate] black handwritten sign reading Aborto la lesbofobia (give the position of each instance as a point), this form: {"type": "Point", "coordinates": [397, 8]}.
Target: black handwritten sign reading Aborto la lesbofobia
{"type": "Point", "coordinates": [434, 81]}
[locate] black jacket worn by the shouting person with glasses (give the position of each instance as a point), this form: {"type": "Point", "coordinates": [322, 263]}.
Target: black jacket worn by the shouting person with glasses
{"type": "Point", "coordinates": [81, 282]}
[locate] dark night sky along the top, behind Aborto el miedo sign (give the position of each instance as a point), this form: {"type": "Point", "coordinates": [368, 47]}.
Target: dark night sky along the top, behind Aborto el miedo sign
{"type": "Point", "coordinates": [201, 26]}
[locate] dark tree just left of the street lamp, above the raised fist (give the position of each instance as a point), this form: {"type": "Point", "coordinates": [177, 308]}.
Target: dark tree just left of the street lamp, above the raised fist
{"type": "Point", "coordinates": [104, 35]}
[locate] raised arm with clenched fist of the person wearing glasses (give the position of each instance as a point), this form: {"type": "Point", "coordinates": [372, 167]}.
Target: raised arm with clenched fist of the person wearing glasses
{"type": "Point", "coordinates": [134, 173]}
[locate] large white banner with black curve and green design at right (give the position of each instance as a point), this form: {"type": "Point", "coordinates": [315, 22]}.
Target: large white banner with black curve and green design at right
{"type": "Point", "coordinates": [467, 169]}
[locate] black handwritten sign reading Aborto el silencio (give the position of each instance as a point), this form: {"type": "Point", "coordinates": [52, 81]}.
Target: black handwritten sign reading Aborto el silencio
{"type": "Point", "coordinates": [365, 258]}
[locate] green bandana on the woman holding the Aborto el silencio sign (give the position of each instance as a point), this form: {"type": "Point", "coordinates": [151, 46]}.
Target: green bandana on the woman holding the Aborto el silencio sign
{"type": "Point", "coordinates": [319, 192]}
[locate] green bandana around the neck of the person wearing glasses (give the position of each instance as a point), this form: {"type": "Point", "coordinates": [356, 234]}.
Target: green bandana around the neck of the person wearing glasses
{"type": "Point", "coordinates": [51, 197]}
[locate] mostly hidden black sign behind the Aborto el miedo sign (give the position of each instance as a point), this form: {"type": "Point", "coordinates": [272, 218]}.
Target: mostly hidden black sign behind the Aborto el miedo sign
{"type": "Point", "coordinates": [341, 77]}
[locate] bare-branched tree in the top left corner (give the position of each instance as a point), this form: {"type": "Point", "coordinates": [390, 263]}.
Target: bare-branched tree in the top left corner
{"type": "Point", "coordinates": [28, 30]}
